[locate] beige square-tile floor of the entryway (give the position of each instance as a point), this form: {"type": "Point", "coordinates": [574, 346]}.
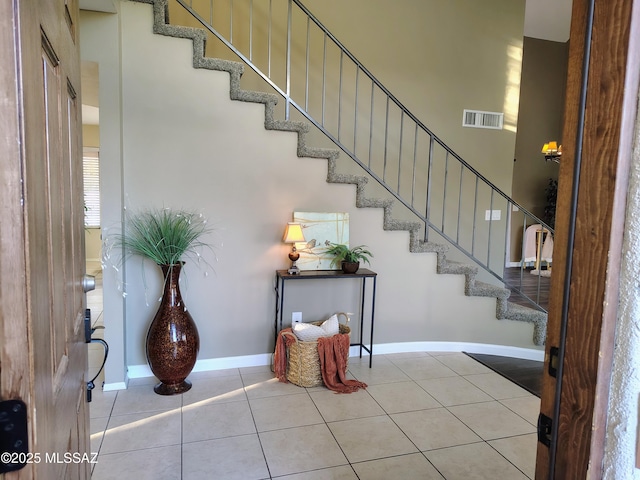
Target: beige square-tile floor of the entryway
{"type": "Point", "coordinates": [425, 415]}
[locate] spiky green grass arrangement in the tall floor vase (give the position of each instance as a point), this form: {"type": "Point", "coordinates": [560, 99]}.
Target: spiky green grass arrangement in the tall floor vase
{"type": "Point", "coordinates": [164, 236]}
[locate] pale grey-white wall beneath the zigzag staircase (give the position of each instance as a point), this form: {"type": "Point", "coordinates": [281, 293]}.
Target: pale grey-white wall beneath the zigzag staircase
{"type": "Point", "coordinates": [185, 144]}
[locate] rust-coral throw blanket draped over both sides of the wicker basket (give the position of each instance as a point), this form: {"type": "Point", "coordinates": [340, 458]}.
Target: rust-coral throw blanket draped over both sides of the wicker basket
{"type": "Point", "coordinates": [333, 352]}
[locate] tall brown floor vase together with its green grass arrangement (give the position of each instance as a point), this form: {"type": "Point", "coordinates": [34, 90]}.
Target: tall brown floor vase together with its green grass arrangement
{"type": "Point", "coordinates": [168, 237]}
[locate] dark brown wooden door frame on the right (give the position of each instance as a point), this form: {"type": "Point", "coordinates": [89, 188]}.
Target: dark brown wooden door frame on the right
{"type": "Point", "coordinates": [590, 222]}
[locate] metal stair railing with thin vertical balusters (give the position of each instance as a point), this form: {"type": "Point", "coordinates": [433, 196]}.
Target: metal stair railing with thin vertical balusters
{"type": "Point", "coordinates": [316, 75]}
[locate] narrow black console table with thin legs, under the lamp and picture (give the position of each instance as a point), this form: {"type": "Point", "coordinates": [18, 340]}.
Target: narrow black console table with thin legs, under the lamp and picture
{"type": "Point", "coordinates": [282, 277]}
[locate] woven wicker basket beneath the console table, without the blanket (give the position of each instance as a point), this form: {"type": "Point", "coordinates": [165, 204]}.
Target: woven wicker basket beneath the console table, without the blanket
{"type": "Point", "coordinates": [303, 361]}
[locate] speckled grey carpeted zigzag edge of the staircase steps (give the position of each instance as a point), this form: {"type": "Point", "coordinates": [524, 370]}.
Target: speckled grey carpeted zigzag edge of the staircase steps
{"type": "Point", "coordinates": [505, 310]}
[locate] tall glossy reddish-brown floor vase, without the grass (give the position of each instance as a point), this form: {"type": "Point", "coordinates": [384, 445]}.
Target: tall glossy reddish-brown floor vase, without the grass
{"type": "Point", "coordinates": [172, 341]}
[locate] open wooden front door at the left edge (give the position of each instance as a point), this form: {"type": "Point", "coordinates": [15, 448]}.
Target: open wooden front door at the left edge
{"type": "Point", "coordinates": [43, 357]}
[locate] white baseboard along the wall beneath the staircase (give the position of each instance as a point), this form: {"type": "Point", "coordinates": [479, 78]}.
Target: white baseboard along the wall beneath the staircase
{"type": "Point", "coordinates": [210, 364]}
